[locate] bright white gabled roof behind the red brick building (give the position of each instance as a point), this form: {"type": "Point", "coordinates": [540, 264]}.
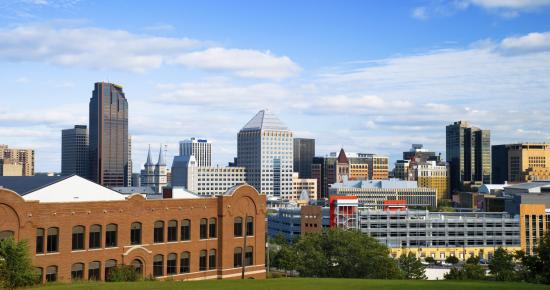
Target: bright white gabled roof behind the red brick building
{"type": "Point", "coordinates": [73, 189]}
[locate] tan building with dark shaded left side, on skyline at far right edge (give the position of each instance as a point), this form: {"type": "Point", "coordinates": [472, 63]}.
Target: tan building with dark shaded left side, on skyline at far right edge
{"type": "Point", "coordinates": [528, 162]}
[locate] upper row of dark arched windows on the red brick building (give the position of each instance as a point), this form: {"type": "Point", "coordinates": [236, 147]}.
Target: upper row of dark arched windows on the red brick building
{"type": "Point", "coordinates": [207, 229]}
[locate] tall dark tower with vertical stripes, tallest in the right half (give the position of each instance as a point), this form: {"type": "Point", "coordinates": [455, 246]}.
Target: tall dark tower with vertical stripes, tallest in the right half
{"type": "Point", "coordinates": [469, 155]}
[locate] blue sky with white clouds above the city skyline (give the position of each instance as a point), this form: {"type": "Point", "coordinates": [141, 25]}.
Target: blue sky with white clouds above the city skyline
{"type": "Point", "coordinates": [368, 76]}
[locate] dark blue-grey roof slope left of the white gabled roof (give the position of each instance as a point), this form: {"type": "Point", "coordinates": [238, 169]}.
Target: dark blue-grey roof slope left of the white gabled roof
{"type": "Point", "coordinates": [25, 184]}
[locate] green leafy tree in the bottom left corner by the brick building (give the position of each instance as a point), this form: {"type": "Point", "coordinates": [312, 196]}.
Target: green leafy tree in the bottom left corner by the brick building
{"type": "Point", "coordinates": [16, 269]}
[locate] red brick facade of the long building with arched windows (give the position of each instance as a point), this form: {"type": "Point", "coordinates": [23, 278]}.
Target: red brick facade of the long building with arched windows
{"type": "Point", "coordinates": [25, 220]}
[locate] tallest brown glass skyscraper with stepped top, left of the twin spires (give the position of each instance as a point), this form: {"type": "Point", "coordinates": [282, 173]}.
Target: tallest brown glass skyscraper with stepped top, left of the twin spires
{"type": "Point", "coordinates": [109, 136]}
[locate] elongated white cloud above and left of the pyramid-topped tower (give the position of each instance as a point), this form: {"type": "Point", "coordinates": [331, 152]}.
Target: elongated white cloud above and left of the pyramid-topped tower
{"type": "Point", "coordinates": [244, 62]}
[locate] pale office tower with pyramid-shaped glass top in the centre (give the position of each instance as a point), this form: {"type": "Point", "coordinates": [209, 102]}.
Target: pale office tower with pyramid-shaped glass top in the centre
{"type": "Point", "coordinates": [264, 148]}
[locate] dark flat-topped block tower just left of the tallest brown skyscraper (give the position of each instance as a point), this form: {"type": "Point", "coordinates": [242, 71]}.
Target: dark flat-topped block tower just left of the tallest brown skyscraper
{"type": "Point", "coordinates": [74, 151]}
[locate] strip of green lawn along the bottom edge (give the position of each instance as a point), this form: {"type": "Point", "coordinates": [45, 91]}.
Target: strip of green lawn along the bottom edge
{"type": "Point", "coordinates": [303, 284]}
